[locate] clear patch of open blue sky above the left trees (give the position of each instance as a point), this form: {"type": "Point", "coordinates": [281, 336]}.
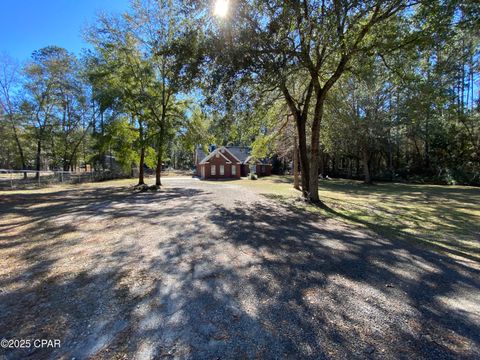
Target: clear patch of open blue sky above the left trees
{"type": "Point", "coordinates": [28, 25]}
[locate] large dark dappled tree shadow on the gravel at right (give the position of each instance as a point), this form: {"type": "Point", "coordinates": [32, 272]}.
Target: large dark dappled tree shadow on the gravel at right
{"type": "Point", "coordinates": [361, 295]}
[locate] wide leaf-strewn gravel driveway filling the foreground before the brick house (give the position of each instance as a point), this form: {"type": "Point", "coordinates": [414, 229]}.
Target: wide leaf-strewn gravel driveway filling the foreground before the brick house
{"type": "Point", "coordinates": [213, 270]}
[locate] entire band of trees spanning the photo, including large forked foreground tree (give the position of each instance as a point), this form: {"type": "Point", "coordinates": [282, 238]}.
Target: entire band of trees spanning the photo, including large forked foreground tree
{"type": "Point", "coordinates": [372, 89]}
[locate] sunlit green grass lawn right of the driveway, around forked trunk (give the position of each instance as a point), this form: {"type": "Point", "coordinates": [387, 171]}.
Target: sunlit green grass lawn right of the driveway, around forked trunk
{"type": "Point", "coordinates": [444, 217]}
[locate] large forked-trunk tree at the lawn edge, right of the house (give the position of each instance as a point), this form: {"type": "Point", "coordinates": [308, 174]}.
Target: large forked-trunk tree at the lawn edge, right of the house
{"type": "Point", "coordinates": [274, 43]}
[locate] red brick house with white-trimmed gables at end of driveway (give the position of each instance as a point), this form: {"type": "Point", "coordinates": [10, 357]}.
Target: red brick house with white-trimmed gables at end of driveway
{"type": "Point", "coordinates": [228, 162]}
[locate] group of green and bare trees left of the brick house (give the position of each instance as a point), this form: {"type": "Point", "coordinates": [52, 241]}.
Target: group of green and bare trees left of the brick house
{"type": "Point", "coordinates": [128, 98]}
